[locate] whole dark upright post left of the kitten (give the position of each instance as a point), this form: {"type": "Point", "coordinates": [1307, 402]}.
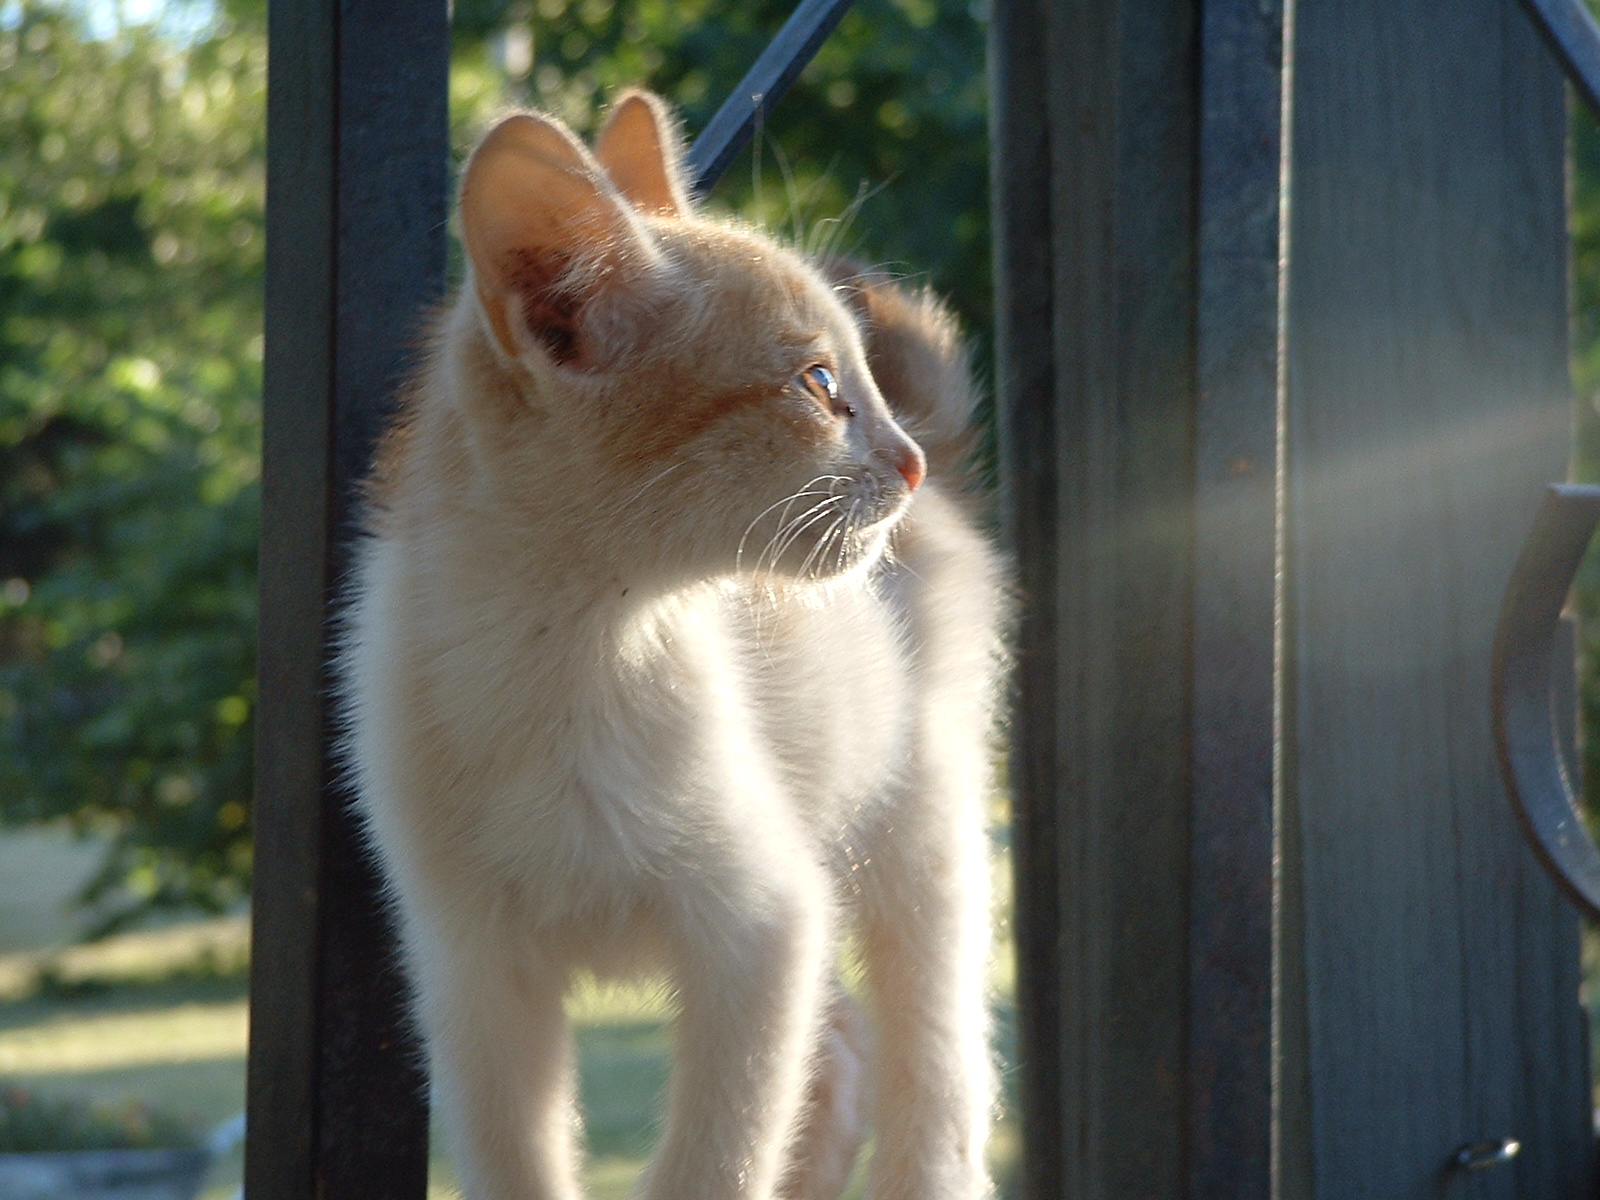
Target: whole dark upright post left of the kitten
{"type": "Point", "coordinates": [358, 143]}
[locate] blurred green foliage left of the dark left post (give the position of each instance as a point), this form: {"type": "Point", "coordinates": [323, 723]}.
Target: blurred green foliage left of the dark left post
{"type": "Point", "coordinates": [130, 380]}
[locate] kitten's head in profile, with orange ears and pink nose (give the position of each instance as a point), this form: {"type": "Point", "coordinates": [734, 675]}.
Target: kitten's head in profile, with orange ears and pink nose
{"type": "Point", "coordinates": [702, 390]}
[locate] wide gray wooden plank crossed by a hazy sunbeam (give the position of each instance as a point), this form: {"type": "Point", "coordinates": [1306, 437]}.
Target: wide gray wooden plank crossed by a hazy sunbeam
{"type": "Point", "coordinates": [1426, 409]}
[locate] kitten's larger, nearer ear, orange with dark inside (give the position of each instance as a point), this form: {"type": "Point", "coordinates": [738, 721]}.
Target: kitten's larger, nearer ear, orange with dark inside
{"type": "Point", "coordinates": [545, 234]}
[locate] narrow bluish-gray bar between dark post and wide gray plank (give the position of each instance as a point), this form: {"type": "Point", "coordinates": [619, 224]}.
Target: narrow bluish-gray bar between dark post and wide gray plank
{"type": "Point", "coordinates": [1236, 583]}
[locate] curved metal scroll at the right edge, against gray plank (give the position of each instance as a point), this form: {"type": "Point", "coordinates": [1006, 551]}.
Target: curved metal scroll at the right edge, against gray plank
{"type": "Point", "coordinates": [1526, 730]}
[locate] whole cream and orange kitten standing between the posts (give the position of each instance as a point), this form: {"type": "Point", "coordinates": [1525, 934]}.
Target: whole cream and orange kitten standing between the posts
{"type": "Point", "coordinates": [665, 655]}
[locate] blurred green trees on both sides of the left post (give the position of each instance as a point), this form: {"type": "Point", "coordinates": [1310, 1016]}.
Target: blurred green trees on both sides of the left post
{"type": "Point", "coordinates": [130, 348]}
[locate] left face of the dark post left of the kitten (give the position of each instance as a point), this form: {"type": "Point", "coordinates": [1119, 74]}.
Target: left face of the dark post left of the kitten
{"type": "Point", "coordinates": [282, 1129]}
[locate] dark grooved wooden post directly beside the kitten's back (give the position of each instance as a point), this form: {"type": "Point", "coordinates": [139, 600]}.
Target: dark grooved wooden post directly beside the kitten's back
{"type": "Point", "coordinates": [1100, 463]}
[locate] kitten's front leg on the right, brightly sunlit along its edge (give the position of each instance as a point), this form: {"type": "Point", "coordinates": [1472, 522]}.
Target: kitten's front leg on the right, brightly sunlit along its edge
{"type": "Point", "coordinates": [751, 938]}
